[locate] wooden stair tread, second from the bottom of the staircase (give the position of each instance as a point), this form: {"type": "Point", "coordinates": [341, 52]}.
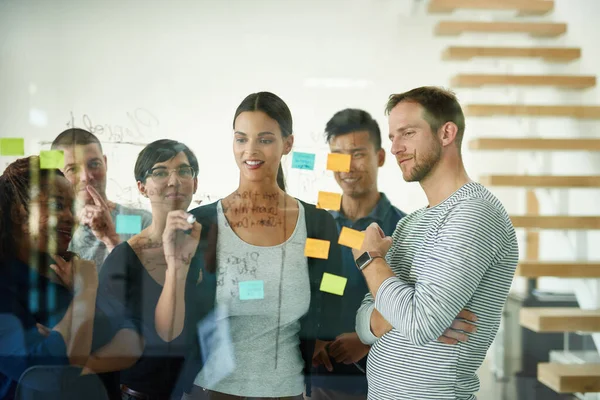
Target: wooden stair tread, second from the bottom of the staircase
{"type": "Point", "coordinates": [560, 319]}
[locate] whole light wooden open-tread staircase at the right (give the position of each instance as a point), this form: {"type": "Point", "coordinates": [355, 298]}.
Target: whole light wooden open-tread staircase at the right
{"type": "Point", "coordinates": [562, 378]}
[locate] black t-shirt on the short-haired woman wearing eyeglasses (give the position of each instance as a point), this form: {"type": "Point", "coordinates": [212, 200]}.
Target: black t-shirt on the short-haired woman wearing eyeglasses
{"type": "Point", "coordinates": [123, 277]}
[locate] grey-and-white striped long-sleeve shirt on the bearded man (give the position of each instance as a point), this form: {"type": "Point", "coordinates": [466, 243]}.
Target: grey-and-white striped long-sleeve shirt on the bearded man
{"type": "Point", "coordinates": [460, 254]}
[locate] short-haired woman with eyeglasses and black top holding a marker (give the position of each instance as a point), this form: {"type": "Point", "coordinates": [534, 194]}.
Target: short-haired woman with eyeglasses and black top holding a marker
{"type": "Point", "coordinates": [135, 272]}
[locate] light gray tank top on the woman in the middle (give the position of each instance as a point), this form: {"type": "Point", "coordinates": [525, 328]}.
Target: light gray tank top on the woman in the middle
{"type": "Point", "coordinates": [265, 291]}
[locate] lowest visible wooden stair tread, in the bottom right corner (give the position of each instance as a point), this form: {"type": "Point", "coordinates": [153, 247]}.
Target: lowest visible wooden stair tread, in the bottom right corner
{"type": "Point", "coordinates": [570, 378]}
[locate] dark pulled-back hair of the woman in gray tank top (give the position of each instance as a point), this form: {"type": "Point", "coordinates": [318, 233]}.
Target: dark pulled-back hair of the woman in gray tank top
{"type": "Point", "coordinates": [275, 108]}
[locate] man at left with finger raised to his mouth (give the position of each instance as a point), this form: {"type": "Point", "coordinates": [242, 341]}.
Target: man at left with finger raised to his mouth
{"type": "Point", "coordinates": [85, 167]}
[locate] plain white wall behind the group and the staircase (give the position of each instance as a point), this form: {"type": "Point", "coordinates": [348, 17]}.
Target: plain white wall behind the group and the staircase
{"type": "Point", "coordinates": [178, 69]}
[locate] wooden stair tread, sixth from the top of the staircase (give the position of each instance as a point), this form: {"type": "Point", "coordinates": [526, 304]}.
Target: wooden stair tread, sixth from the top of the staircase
{"type": "Point", "coordinates": [534, 144]}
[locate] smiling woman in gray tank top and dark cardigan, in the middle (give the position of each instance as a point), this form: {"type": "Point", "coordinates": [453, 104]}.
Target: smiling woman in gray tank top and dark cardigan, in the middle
{"type": "Point", "coordinates": [259, 338]}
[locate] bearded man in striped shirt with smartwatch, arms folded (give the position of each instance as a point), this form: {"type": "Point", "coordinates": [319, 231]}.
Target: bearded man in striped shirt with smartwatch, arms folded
{"type": "Point", "coordinates": [459, 252]}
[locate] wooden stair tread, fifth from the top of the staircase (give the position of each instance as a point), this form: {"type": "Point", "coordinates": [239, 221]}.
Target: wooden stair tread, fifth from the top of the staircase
{"type": "Point", "coordinates": [574, 111]}
